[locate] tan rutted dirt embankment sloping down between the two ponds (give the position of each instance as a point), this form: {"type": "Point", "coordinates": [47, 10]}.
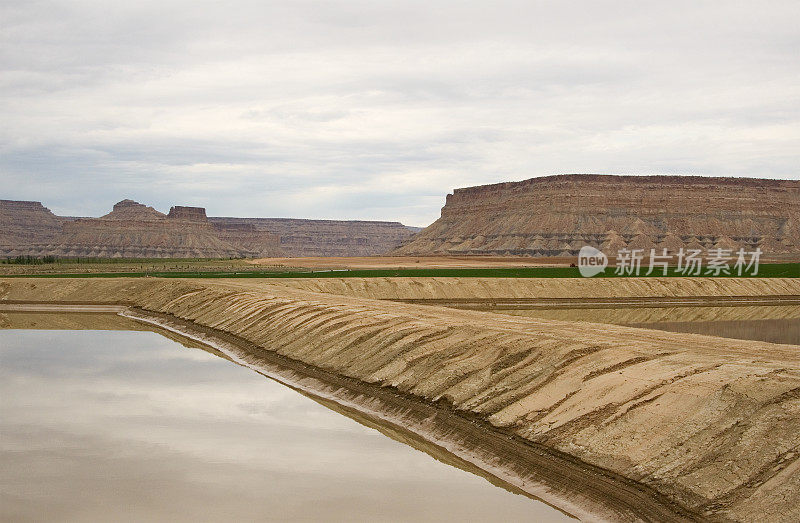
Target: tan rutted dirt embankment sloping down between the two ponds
{"type": "Point", "coordinates": [711, 424]}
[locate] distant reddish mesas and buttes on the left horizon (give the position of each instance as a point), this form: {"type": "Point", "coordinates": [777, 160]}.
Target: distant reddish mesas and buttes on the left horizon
{"type": "Point", "coordinates": [134, 230]}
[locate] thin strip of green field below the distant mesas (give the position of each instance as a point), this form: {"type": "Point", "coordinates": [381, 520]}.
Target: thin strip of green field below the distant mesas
{"type": "Point", "coordinates": [773, 270]}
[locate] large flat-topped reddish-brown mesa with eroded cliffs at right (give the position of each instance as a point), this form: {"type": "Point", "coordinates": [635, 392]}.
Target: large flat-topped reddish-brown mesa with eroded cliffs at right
{"type": "Point", "coordinates": [557, 215]}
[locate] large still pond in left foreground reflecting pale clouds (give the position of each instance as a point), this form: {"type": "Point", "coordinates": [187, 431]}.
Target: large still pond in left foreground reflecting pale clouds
{"type": "Point", "coordinates": [128, 425]}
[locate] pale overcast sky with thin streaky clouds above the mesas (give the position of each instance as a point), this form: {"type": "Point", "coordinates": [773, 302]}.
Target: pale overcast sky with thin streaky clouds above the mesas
{"type": "Point", "coordinates": [377, 109]}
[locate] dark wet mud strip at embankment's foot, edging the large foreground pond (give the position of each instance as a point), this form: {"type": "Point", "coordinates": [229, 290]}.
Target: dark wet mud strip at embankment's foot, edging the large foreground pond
{"type": "Point", "coordinates": [502, 455]}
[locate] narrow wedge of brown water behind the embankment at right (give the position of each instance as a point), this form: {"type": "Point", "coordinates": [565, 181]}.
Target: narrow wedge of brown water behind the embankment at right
{"type": "Point", "coordinates": [775, 324]}
